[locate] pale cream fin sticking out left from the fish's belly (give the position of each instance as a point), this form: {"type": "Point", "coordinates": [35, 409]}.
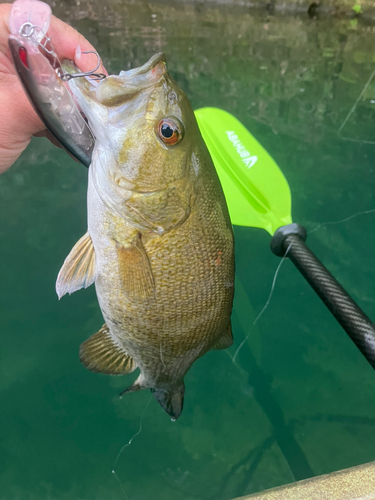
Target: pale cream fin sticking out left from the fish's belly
{"type": "Point", "coordinates": [78, 270]}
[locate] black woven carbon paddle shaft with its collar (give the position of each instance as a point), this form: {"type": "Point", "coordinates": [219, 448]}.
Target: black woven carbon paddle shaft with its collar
{"type": "Point", "coordinates": [291, 240]}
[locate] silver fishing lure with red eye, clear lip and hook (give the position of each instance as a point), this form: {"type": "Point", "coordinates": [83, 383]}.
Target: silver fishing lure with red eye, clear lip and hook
{"type": "Point", "coordinates": [43, 77]}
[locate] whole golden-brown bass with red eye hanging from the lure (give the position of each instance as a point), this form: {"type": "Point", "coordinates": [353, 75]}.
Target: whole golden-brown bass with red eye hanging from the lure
{"type": "Point", "coordinates": [159, 245]}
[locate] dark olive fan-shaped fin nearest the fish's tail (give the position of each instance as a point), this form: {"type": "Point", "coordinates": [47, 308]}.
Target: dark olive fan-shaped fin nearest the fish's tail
{"type": "Point", "coordinates": [102, 354]}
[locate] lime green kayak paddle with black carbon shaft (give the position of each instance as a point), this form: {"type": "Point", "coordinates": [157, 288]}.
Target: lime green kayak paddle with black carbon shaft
{"type": "Point", "coordinates": [258, 195]}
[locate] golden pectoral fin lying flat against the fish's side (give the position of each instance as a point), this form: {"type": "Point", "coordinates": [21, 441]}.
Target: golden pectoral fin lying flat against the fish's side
{"type": "Point", "coordinates": [135, 269]}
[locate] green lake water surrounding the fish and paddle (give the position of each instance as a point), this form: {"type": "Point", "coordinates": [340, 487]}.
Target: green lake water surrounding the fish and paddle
{"type": "Point", "coordinates": [301, 401]}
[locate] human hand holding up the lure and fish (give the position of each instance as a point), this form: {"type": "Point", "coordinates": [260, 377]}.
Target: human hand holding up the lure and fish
{"type": "Point", "coordinates": [19, 120]}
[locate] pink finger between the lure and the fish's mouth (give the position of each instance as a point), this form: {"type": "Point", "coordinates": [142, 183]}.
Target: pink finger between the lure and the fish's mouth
{"type": "Point", "coordinates": [65, 39]}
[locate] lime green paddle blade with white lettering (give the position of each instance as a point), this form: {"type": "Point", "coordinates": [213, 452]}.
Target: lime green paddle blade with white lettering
{"type": "Point", "coordinates": [255, 189]}
